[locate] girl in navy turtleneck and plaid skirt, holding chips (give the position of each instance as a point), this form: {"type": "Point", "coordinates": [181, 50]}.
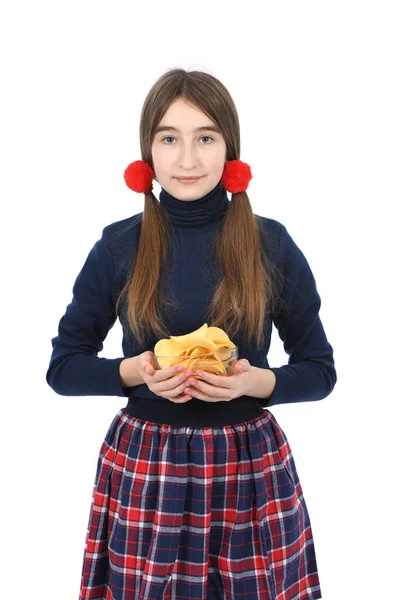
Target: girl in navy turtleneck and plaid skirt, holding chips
{"type": "Point", "coordinates": [196, 493]}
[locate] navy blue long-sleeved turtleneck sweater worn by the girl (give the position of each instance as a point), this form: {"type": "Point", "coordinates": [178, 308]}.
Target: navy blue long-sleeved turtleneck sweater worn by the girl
{"type": "Point", "coordinates": [75, 368]}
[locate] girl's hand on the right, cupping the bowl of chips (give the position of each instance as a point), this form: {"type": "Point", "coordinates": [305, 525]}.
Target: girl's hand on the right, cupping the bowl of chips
{"type": "Point", "coordinates": [217, 388]}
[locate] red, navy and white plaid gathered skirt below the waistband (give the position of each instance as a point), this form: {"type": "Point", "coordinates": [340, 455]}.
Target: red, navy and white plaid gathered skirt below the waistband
{"type": "Point", "coordinates": [210, 513]}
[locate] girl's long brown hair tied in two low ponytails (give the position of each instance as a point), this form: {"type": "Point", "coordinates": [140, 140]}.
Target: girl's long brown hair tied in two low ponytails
{"type": "Point", "coordinates": [249, 282]}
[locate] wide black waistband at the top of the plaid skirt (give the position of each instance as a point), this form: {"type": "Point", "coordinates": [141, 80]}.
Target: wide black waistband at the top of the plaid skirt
{"type": "Point", "coordinates": [195, 412]}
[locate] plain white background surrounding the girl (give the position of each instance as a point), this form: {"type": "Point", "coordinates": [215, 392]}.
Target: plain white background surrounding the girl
{"type": "Point", "coordinates": [316, 85]}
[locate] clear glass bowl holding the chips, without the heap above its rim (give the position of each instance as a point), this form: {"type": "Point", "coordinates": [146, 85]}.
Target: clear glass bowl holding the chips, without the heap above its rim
{"type": "Point", "coordinates": [218, 362]}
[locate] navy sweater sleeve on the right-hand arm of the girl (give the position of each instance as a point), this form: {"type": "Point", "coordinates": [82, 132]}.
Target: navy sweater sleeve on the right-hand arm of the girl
{"type": "Point", "coordinates": [310, 373]}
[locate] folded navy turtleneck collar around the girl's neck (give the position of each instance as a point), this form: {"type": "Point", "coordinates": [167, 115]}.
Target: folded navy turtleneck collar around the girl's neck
{"type": "Point", "coordinates": [194, 213]}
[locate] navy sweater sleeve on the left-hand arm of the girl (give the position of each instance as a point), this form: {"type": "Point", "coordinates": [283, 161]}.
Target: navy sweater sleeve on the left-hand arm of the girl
{"type": "Point", "coordinates": [75, 369]}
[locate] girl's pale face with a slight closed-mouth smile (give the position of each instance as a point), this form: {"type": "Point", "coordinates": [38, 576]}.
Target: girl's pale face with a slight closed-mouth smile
{"type": "Point", "coordinates": [189, 145]}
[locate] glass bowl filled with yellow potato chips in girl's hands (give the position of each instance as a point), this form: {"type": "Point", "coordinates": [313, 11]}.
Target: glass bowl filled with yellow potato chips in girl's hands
{"type": "Point", "coordinates": [206, 348]}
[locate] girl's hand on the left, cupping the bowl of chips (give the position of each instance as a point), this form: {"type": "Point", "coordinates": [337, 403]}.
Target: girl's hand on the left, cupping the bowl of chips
{"type": "Point", "coordinates": [168, 383]}
